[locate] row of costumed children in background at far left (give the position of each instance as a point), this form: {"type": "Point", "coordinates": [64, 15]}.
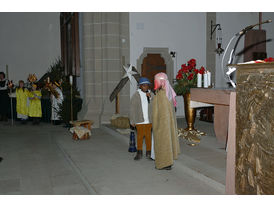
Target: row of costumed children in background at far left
{"type": "Point", "coordinates": [28, 102]}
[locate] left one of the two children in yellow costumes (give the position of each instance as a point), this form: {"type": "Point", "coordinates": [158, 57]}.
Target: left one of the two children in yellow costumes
{"type": "Point", "coordinates": [22, 102]}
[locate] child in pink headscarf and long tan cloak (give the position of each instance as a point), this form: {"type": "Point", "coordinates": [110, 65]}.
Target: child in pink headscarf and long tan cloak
{"type": "Point", "coordinates": [166, 141]}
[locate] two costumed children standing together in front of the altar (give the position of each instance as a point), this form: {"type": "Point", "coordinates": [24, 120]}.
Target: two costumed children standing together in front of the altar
{"type": "Point", "coordinates": [155, 114]}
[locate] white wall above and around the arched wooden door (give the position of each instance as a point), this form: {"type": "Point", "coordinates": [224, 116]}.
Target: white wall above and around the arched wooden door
{"type": "Point", "coordinates": [184, 33]}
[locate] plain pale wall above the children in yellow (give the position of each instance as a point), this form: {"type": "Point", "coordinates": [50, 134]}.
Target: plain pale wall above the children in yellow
{"type": "Point", "coordinates": [29, 43]}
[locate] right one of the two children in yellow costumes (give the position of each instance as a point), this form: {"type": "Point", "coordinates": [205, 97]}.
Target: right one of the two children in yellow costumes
{"type": "Point", "coordinates": [35, 110]}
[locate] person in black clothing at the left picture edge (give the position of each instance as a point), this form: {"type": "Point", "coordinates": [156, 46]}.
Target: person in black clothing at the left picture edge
{"type": "Point", "coordinates": [4, 97]}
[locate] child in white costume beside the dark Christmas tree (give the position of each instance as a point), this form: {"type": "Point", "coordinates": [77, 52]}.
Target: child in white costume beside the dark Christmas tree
{"type": "Point", "coordinates": [56, 100]}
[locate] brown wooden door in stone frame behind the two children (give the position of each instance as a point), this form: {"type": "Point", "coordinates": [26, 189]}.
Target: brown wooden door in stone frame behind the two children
{"type": "Point", "coordinates": [152, 64]}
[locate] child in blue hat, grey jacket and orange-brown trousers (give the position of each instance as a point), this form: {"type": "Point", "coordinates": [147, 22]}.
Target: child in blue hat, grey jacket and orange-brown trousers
{"type": "Point", "coordinates": [140, 116]}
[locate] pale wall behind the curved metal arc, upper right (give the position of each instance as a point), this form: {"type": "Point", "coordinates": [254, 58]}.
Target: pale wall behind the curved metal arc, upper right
{"type": "Point", "coordinates": [233, 22]}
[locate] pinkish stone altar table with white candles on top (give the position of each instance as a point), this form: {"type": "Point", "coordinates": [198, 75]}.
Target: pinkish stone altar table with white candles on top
{"type": "Point", "coordinates": [224, 102]}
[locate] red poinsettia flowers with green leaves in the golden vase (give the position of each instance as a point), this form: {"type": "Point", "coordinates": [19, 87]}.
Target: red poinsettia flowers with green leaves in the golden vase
{"type": "Point", "coordinates": [186, 77]}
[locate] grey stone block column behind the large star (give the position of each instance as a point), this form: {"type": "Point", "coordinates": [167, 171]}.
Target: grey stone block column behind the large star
{"type": "Point", "coordinates": [105, 43]}
